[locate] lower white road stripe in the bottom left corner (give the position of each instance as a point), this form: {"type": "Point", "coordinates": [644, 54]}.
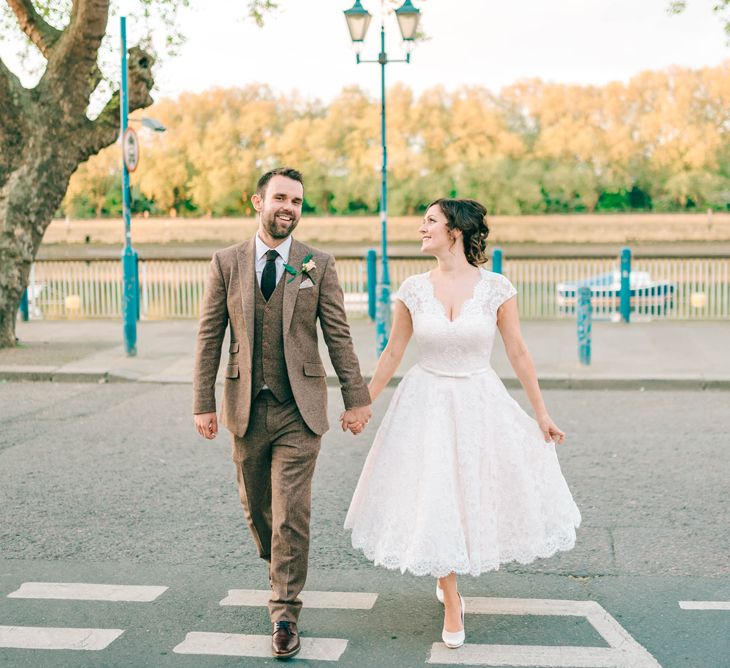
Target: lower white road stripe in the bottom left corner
{"type": "Point", "coordinates": [44, 637]}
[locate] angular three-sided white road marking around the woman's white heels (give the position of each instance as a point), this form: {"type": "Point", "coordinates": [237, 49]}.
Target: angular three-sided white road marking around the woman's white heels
{"type": "Point", "coordinates": [623, 650]}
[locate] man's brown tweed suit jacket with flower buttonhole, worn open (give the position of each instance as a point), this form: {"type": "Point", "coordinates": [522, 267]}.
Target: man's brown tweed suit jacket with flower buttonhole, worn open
{"type": "Point", "coordinates": [229, 300]}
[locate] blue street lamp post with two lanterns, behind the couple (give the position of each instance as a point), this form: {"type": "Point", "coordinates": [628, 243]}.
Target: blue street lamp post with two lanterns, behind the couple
{"type": "Point", "coordinates": [358, 20]}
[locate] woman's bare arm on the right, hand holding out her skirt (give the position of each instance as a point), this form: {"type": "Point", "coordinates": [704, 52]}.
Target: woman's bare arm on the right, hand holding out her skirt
{"type": "Point", "coordinates": [508, 322]}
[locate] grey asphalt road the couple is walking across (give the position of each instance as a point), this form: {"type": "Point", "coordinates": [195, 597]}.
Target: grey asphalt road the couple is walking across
{"type": "Point", "coordinates": [110, 484]}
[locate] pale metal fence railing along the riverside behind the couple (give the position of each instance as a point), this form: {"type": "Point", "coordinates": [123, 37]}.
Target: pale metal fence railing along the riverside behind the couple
{"type": "Point", "coordinates": [672, 288]}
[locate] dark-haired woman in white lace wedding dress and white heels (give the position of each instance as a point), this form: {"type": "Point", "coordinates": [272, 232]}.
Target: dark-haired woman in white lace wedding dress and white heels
{"type": "Point", "coordinates": [459, 478]}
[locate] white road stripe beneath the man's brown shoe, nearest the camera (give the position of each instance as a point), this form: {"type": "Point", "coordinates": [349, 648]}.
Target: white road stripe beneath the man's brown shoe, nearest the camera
{"type": "Point", "coordinates": [232, 644]}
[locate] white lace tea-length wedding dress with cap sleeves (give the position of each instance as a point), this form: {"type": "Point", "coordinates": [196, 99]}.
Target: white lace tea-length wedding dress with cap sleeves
{"type": "Point", "coordinates": [459, 477]}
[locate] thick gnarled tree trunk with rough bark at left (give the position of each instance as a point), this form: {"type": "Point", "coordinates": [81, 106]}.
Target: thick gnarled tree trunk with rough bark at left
{"type": "Point", "coordinates": [45, 135]}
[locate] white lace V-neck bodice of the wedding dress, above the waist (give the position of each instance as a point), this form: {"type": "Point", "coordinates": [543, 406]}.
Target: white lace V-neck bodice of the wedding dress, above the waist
{"type": "Point", "coordinates": [462, 346]}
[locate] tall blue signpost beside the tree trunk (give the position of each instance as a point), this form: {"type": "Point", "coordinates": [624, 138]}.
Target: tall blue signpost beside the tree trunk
{"type": "Point", "coordinates": [130, 308]}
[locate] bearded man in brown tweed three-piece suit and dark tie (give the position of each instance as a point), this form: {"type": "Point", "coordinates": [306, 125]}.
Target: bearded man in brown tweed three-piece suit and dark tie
{"type": "Point", "coordinates": [270, 291]}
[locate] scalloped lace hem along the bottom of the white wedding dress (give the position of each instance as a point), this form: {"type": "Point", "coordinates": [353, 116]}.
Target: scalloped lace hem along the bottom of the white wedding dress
{"type": "Point", "coordinates": [440, 570]}
